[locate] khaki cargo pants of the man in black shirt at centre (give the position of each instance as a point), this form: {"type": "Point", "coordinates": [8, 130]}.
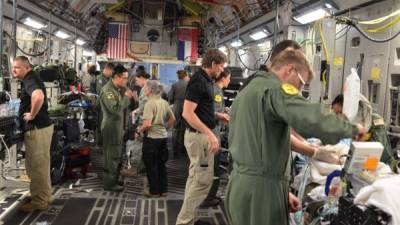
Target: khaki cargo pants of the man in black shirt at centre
{"type": "Point", "coordinates": [200, 178]}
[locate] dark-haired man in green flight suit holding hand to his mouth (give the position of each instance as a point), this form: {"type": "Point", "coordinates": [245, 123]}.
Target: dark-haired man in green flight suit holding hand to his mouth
{"type": "Point", "coordinates": [114, 98]}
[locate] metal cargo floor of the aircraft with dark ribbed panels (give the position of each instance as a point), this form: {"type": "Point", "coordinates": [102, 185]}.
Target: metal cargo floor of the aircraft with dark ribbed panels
{"type": "Point", "coordinates": [86, 203]}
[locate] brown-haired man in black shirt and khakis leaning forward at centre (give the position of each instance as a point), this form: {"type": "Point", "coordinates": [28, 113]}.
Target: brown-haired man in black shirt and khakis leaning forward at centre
{"type": "Point", "coordinates": [200, 141]}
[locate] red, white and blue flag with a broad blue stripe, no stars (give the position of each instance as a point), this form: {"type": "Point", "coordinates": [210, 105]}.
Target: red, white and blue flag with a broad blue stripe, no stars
{"type": "Point", "coordinates": [187, 43]}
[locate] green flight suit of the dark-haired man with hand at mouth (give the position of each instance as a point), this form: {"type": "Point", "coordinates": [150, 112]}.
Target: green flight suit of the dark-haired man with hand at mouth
{"type": "Point", "coordinates": [112, 103]}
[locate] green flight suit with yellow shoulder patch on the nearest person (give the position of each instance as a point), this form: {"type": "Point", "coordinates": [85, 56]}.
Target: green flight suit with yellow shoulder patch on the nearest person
{"type": "Point", "coordinates": [259, 141]}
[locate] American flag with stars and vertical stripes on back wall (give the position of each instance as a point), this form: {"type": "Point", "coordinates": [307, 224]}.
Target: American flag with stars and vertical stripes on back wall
{"type": "Point", "coordinates": [117, 40]}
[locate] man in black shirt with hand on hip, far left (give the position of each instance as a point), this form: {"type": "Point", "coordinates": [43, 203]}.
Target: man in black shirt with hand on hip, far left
{"type": "Point", "coordinates": [38, 132]}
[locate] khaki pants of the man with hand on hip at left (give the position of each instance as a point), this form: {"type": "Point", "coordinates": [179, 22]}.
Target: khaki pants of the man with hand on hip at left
{"type": "Point", "coordinates": [37, 162]}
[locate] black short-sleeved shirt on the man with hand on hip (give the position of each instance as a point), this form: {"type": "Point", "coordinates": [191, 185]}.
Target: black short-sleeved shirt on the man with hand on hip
{"type": "Point", "coordinates": [30, 83]}
